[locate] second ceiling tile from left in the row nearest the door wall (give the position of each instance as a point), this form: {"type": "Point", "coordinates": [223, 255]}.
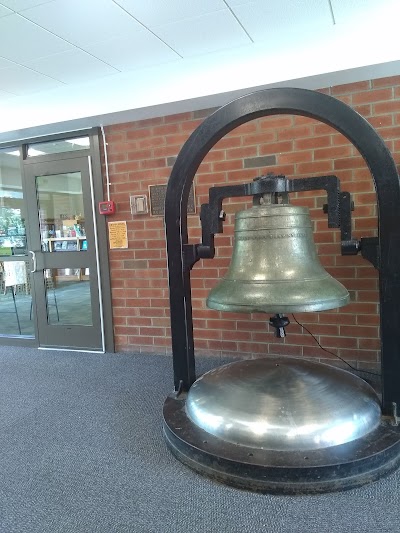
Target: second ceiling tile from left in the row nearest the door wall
{"type": "Point", "coordinates": [71, 66]}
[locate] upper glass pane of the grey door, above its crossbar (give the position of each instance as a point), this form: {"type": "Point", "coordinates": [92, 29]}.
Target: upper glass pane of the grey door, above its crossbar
{"type": "Point", "coordinates": [61, 212]}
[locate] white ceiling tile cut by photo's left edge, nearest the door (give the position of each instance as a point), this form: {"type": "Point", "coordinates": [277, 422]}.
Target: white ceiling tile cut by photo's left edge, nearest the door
{"type": "Point", "coordinates": [21, 80]}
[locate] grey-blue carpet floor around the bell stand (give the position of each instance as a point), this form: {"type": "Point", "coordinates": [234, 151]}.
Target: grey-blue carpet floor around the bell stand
{"type": "Point", "coordinates": [81, 450]}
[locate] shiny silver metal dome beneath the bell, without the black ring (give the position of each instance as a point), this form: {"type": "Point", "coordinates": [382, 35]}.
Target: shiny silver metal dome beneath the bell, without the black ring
{"type": "Point", "coordinates": [283, 404]}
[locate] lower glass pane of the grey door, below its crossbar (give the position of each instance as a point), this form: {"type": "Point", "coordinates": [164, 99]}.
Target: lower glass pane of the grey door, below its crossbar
{"type": "Point", "coordinates": [68, 297]}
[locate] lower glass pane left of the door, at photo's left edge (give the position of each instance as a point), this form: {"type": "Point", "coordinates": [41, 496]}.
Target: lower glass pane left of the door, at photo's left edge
{"type": "Point", "coordinates": [15, 299]}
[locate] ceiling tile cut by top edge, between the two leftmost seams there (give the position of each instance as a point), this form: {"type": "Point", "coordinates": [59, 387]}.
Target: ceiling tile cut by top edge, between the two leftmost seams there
{"type": "Point", "coordinates": [153, 13]}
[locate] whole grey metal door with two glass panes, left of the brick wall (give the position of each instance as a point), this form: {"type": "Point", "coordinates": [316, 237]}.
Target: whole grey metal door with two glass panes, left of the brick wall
{"type": "Point", "coordinates": [64, 265]}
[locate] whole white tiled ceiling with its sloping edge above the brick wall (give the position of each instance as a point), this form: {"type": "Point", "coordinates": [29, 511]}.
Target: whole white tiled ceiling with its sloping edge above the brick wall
{"type": "Point", "coordinates": [67, 64]}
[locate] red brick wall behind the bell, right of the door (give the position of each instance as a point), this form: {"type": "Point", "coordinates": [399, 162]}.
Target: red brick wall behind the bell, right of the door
{"type": "Point", "coordinates": [142, 154]}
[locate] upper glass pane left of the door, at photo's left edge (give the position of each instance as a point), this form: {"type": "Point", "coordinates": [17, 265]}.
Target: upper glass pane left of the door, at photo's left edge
{"type": "Point", "coordinates": [12, 209]}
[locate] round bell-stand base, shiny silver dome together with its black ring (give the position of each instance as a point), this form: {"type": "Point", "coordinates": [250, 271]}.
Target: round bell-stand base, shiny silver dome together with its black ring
{"type": "Point", "coordinates": [282, 426]}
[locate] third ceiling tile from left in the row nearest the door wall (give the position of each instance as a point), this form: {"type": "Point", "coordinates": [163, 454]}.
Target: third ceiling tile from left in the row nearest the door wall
{"type": "Point", "coordinates": [138, 49]}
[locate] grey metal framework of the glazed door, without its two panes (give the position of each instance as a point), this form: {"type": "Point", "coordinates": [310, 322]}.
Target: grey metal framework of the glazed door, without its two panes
{"type": "Point", "coordinates": [60, 334]}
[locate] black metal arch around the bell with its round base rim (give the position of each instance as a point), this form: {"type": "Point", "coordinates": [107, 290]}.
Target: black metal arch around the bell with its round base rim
{"type": "Point", "coordinates": [383, 169]}
